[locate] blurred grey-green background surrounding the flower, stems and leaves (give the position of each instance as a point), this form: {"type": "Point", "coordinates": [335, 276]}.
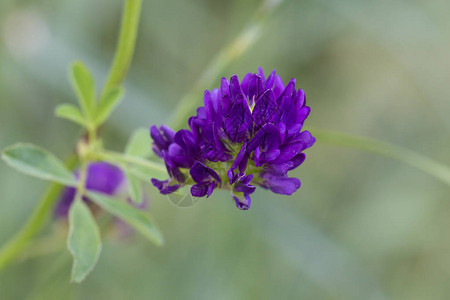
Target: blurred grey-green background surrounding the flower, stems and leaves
{"type": "Point", "coordinates": [361, 226]}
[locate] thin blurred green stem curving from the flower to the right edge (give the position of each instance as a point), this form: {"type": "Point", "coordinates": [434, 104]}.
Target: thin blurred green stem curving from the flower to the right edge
{"type": "Point", "coordinates": [418, 161]}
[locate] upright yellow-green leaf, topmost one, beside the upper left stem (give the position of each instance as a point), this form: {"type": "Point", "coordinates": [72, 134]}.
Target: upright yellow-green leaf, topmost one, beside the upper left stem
{"type": "Point", "coordinates": [84, 86]}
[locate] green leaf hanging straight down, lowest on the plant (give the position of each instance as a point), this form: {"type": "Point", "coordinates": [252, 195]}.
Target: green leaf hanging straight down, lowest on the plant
{"type": "Point", "coordinates": [84, 240]}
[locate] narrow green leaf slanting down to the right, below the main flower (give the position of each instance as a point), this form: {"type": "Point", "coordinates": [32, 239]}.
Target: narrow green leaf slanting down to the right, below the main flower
{"type": "Point", "coordinates": [133, 216]}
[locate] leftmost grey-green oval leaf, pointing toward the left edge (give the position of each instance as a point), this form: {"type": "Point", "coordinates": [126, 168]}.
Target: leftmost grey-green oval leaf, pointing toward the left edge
{"type": "Point", "coordinates": [35, 161]}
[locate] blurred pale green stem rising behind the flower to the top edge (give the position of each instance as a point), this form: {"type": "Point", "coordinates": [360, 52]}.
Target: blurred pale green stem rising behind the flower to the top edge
{"type": "Point", "coordinates": [230, 53]}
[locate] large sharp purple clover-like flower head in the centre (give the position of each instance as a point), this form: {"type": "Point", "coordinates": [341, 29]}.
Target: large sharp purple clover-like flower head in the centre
{"type": "Point", "coordinates": [247, 133]}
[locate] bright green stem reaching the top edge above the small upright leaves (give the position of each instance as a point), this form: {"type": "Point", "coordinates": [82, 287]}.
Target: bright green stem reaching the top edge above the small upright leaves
{"type": "Point", "coordinates": [125, 45]}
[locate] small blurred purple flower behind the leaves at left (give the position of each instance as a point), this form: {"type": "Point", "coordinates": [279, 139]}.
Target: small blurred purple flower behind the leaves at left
{"type": "Point", "coordinates": [101, 177]}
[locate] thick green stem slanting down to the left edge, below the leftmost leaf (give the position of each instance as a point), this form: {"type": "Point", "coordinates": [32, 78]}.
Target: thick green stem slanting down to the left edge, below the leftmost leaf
{"type": "Point", "coordinates": [35, 223]}
